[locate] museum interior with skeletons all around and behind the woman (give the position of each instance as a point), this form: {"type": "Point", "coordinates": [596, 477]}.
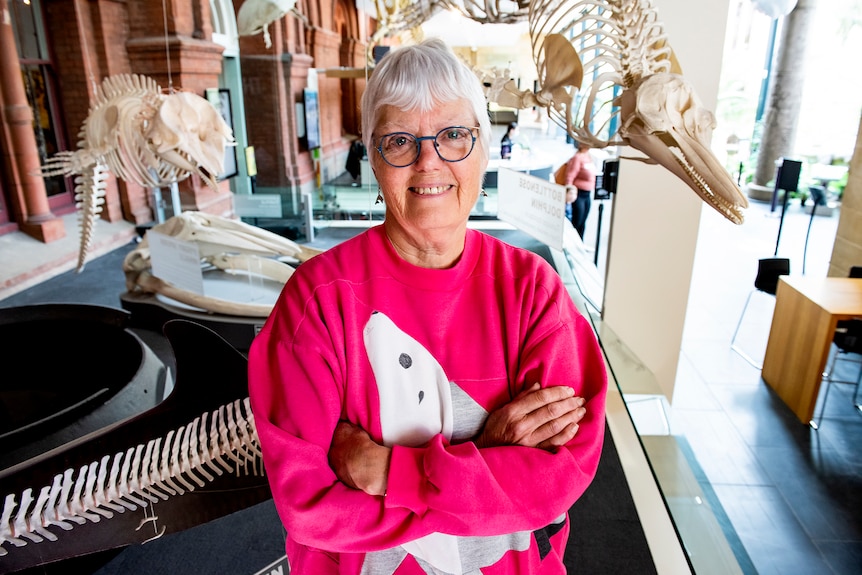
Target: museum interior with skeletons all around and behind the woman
{"type": "Point", "coordinates": [167, 165]}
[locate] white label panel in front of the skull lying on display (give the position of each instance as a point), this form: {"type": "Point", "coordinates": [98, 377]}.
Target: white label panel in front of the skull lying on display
{"type": "Point", "coordinates": [177, 262]}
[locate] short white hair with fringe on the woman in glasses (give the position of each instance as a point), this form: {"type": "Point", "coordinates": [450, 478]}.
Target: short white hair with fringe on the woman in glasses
{"type": "Point", "coordinates": [418, 77]}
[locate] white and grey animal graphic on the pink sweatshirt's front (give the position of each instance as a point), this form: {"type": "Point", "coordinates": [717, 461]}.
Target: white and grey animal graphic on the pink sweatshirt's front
{"type": "Point", "coordinates": [417, 401]}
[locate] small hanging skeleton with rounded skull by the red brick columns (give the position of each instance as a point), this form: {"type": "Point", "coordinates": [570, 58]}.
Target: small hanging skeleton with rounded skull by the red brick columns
{"type": "Point", "coordinates": [144, 136]}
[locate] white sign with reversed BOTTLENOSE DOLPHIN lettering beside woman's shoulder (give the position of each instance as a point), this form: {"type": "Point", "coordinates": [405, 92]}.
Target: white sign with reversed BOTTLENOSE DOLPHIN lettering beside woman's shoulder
{"type": "Point", "coordinates": [533, 205]}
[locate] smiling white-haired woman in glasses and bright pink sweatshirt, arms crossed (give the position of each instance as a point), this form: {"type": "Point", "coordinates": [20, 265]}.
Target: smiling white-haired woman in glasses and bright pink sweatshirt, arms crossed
{"type": "Point", "coordinates": [427, 397]}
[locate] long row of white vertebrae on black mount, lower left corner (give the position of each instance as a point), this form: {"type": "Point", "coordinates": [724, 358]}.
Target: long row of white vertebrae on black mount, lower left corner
{"type": "Point", "coordinates": [186, 458]}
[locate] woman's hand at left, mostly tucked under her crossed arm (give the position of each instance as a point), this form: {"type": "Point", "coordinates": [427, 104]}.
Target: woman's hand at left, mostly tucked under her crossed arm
{"type": "Point", "coordinates": [357, 460]}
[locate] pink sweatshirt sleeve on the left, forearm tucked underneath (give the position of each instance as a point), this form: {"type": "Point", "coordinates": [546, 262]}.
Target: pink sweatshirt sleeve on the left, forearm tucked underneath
{"type": "Point", "coordinates": [295, 421]}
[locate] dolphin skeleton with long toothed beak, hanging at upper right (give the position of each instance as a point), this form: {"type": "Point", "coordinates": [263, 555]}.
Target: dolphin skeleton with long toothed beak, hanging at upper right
{"type": "Point", "coordinates": [626, 89]}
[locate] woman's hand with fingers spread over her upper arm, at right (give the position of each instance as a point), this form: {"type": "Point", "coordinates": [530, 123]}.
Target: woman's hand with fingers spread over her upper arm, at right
{"type": "Point", "coordinates": [544, 418]}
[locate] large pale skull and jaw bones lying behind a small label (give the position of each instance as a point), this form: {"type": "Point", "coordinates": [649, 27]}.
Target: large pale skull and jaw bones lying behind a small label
{"type": "Point", "coordinates": [230, 245]}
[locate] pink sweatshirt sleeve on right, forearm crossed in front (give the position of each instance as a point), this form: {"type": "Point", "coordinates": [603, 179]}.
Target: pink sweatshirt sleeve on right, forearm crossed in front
{"type": "Point", "coordinates": [506, 489]}
